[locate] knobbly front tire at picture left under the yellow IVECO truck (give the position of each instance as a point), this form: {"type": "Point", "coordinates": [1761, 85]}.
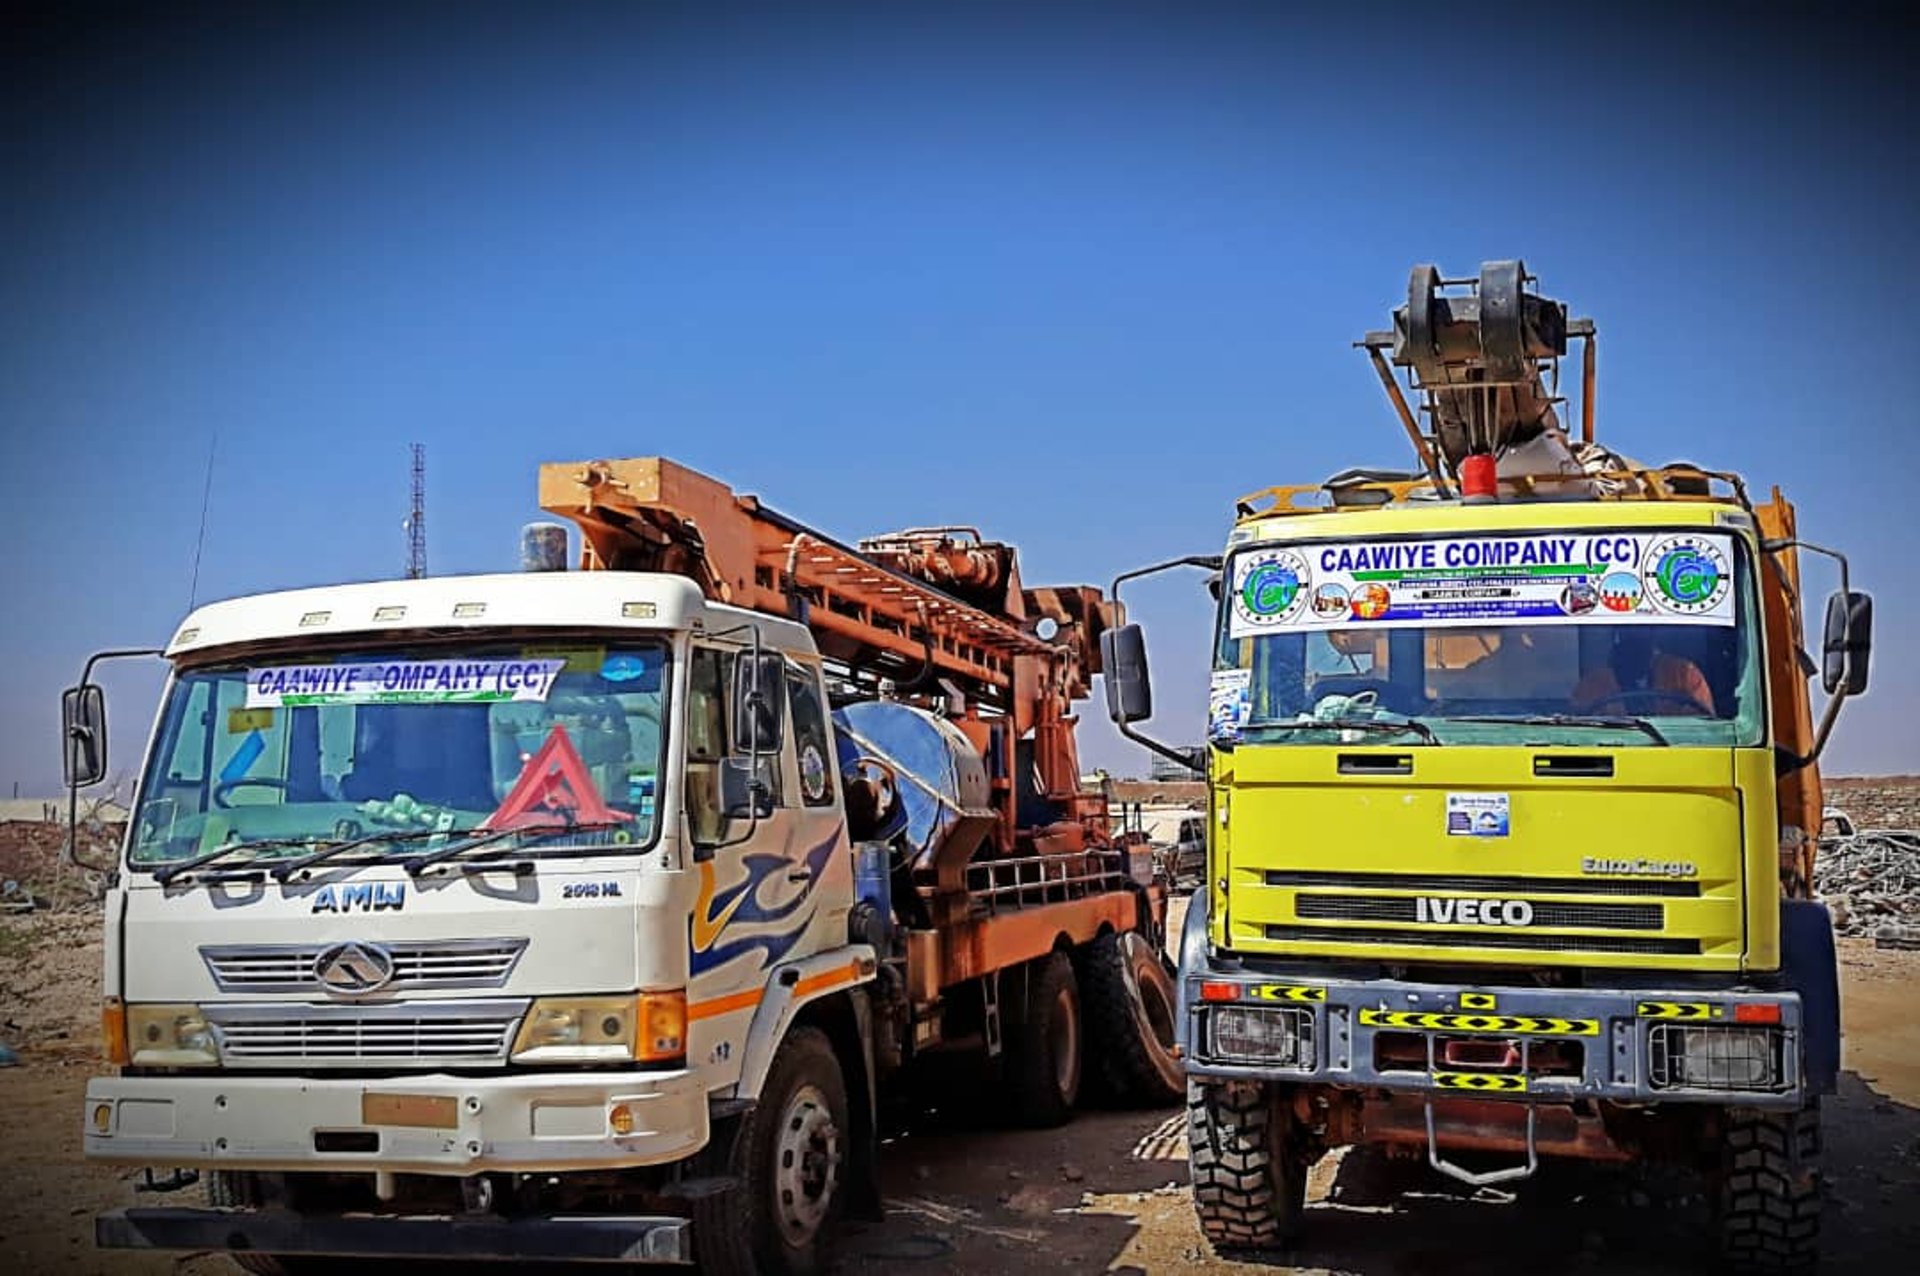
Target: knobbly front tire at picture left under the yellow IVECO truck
{"type": "Point", "coordinates": [1251, 1183]}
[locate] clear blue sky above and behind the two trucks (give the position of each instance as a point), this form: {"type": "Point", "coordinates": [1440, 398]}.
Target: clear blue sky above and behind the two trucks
{"type": "Point", "coordinates": [1076, 275]}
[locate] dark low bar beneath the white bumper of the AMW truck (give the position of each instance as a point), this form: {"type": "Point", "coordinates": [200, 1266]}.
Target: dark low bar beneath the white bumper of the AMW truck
{"type": "Point", "coordinates": [429, 1237]}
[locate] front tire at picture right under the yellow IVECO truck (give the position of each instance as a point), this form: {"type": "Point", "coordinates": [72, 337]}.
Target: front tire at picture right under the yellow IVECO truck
{"type": "Point", "coordinates": [1771, 1191]}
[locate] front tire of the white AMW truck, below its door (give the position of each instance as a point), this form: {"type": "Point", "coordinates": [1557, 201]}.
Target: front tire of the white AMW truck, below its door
{"type": "Point", "coordinates": [790, 1160]}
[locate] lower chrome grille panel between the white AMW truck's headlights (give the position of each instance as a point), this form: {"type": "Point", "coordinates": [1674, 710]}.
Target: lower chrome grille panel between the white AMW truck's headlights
{"type": "Point", "coordinates": [366, 1035]}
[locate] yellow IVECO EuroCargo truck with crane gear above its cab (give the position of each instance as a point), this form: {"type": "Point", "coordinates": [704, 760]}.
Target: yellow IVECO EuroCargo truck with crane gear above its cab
{"type": "Point", "coordinates": [1512, 805]}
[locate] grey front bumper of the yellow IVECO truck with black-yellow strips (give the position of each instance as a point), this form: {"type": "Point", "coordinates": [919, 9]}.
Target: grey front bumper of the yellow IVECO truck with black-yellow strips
{"type": "Point", "coordinates": [1531, 1045]}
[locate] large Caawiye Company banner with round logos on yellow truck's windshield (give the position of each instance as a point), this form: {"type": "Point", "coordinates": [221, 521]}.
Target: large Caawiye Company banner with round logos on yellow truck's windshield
{"type": "Point", "coordinates": [1485, 580]}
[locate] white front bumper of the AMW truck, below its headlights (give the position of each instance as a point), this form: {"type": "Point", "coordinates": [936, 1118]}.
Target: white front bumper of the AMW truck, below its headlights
{"type": "Point", "coordinates": [423, 1125]}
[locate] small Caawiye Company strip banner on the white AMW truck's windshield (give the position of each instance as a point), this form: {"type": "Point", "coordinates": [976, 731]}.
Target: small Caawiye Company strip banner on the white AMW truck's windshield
{"type": "Point", "coordinates": [402, 682]}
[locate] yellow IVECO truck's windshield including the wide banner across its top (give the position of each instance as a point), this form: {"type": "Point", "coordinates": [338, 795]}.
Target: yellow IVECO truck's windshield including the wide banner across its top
{"type": "Point", "coordinates": [1616, 638]}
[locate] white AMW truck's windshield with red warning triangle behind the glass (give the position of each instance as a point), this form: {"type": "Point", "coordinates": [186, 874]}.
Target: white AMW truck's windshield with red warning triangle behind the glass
{"type": "Point", "coordinates": [398, 747]}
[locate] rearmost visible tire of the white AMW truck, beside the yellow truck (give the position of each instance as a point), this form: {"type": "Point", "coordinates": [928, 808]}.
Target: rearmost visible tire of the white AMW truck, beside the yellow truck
{"type": "Point", "coordinates": [1130, 1022]}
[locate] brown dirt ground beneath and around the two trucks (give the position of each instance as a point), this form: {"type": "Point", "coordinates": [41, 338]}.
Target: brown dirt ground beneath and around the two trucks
{"type": "Point", "coordinates": [1107, 1193]}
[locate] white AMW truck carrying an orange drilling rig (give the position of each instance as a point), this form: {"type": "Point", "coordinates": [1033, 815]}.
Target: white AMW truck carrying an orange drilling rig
{"type": "Point", "coordinates": [583, 916]}
